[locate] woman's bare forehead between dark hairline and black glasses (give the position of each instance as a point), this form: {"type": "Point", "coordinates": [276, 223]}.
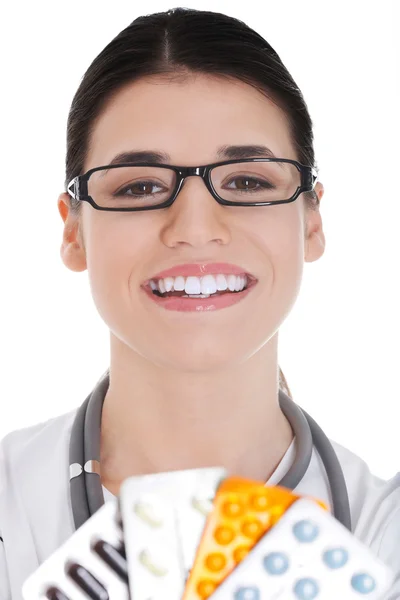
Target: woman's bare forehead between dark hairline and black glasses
{"type": "Point", "coordinates": [188, 119]}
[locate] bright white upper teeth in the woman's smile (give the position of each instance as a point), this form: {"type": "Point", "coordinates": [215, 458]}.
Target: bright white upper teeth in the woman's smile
{"type": "Point", "coordinates": [200, 286]}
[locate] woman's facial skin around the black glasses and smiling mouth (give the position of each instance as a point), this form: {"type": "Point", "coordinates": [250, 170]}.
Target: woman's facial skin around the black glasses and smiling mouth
{"type": "Point", "coordinates": [189, 121]}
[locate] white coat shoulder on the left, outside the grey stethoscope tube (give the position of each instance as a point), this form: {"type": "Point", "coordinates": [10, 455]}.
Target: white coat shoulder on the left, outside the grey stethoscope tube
{"type": "Point", "coordinates": [34, 506]}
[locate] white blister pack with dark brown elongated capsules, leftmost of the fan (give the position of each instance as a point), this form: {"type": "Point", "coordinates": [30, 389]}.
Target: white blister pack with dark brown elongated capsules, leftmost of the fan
{"type": "Point", "coordinates": [90, 564]}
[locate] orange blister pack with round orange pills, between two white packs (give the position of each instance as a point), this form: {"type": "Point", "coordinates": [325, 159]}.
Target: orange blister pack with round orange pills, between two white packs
{"type": "Point", "coordinates": [243, 511]}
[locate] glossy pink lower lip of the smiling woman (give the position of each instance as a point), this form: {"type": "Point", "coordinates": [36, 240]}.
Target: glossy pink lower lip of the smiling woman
{"type": "Point", "coordinates": [199, 304]}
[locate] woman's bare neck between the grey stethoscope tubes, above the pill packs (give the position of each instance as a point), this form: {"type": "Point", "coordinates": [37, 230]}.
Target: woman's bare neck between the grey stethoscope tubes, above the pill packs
{"type": "Point", "coordinates": [156, 419]}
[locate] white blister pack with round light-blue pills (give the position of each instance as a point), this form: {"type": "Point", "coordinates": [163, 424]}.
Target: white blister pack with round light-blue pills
{"type": "Point", "coordinates": [307, 555]}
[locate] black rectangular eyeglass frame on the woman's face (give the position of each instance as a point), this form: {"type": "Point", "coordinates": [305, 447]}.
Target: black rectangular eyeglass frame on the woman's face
{"type": "Point", "coordinates": [78, 186]}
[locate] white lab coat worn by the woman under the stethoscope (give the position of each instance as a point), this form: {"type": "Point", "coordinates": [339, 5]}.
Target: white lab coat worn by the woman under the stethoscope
{"type": "Point", "coordinates": [36, 516]}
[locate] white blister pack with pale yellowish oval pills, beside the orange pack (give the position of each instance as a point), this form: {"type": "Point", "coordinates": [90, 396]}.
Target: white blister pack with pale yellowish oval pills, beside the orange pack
{"type": "Point", "coordinates": [163, 518]}
